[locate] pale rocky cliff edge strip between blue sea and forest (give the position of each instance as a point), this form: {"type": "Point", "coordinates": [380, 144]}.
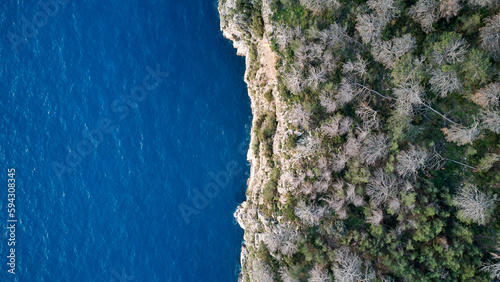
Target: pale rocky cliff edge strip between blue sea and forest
{"type": "Point", "coordinates": [260, 76]}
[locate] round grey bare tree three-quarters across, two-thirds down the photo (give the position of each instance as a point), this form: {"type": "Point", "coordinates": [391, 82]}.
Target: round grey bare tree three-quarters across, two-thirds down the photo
{"type": "Point", "coordinates": [381, 188]}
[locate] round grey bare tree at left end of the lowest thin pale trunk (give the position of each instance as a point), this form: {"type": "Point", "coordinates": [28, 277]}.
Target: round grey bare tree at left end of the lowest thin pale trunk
{"type": "Point", "coordinates": [410, 161]}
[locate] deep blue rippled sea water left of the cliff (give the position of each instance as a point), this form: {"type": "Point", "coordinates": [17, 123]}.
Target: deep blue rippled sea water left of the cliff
{"type": "Point", "coordinates": [113, 215]}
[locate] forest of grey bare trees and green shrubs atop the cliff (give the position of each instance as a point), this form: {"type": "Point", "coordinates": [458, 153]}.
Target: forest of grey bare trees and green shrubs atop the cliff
{"type": "Point", "coordinates": [389, 165]}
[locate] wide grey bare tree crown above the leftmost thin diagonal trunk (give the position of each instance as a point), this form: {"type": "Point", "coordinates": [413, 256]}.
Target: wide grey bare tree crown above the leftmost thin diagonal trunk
{"type": "Point", "coordinates": [388, 52]}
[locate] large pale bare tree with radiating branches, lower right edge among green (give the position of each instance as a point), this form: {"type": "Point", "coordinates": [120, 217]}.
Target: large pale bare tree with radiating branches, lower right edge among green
{"type": "Point", "coordinates": [473, 205]}
